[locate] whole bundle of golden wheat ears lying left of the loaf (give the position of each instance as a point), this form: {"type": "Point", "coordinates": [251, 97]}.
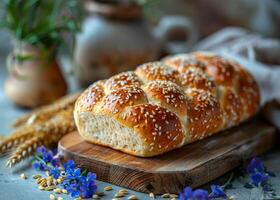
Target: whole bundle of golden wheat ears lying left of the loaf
{"type": "Point", "coordinates": [52, 123]}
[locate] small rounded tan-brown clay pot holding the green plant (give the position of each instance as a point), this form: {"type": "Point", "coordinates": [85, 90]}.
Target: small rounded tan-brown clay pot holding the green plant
{"type": "Point", "coordinates": [35, 79]}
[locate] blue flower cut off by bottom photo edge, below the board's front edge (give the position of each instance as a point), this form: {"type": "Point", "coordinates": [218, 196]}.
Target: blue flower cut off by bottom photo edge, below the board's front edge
{"type": "Point", "coordinates": [197, 194]}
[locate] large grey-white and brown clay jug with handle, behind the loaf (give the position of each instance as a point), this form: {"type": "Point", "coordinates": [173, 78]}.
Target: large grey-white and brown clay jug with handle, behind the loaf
{"type": "Point", "coordinates": [115, 38]}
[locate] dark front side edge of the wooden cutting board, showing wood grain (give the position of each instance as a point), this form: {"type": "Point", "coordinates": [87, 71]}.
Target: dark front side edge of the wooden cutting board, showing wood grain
{"type": "Point", "coordinates": [163, 182]}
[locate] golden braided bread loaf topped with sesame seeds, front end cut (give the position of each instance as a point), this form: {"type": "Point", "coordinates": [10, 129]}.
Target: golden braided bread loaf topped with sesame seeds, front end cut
{"type": "Point", "coordinates": [164, 105]}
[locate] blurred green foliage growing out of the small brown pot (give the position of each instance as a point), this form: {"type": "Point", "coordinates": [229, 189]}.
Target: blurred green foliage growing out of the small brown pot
{"type": "Point", "coordinates": [41, 23]}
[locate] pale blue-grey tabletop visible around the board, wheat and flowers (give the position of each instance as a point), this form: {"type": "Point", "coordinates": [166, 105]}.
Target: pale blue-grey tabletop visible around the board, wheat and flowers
{"type": "Point", "coordinates": [12, 187]}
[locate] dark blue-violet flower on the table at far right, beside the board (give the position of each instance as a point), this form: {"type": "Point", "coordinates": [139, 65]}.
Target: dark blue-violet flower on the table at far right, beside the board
{"type": "Point", "coordinates": [257, 172]}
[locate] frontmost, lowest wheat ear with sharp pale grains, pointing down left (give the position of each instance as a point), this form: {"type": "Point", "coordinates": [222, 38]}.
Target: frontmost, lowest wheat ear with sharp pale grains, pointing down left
{"type": "Point", "coordinates": [27, 149]}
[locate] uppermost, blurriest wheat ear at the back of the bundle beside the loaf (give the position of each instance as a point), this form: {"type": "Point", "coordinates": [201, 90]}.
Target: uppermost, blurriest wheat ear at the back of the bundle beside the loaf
{"type": "Point", "coordinates": [46, 112]}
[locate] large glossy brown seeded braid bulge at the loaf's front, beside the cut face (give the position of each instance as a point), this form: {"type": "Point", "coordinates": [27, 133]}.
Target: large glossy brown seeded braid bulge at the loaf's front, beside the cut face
{"type": "Point", "coordinates": [159, 128]}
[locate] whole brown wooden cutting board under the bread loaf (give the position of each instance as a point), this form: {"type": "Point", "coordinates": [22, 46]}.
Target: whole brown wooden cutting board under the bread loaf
{"type": "Point", "coordinates": [194, 164]}
